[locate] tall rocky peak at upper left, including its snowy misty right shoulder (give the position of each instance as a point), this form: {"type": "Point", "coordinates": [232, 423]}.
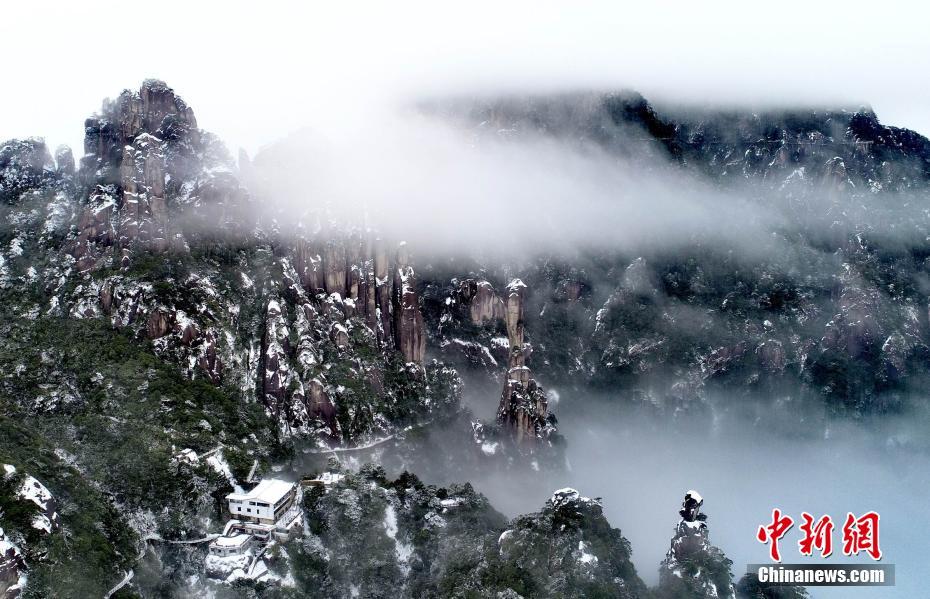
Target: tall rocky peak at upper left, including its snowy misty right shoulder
{"type": "Point", "coordinates": [152, 179]}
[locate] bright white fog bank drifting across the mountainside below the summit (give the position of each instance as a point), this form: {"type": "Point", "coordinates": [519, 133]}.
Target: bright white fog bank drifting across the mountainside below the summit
{"type": "Point", "coordinates": [443, 190]}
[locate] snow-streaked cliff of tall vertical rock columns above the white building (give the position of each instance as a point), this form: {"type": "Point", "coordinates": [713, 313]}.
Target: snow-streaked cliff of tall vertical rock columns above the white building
{"type": "Point", "coordinates": [306, 331]}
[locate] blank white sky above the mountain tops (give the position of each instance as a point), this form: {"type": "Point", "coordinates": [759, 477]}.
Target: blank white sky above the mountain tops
{"type": "Point", "coordinates": [256, 71]}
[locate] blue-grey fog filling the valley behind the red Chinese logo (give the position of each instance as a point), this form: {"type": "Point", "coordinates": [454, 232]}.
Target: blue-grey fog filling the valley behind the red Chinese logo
{"type": "Point", "coordinates": [642, 469]}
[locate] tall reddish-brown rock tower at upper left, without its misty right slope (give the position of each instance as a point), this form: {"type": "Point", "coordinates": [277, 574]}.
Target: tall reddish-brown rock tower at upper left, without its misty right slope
{"type": "Point", "coordinates": [132, 148]}
